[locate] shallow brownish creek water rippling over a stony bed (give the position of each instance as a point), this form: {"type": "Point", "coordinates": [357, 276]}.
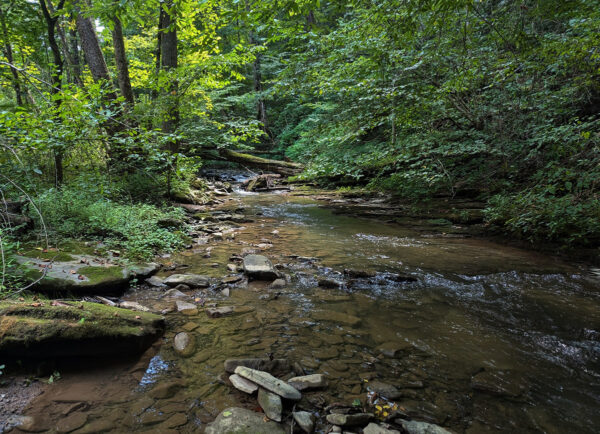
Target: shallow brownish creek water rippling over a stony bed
{"type": "Point", "coordinates": [489, 338]}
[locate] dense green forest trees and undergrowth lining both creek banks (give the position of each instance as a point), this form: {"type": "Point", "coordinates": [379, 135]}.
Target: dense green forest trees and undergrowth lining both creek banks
{"type": "Point", "coordinates": [107, 105]}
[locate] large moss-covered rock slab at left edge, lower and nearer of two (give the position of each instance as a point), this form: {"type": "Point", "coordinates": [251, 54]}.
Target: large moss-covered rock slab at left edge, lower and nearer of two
{"type": "Point", "coordinates": [44, 330]}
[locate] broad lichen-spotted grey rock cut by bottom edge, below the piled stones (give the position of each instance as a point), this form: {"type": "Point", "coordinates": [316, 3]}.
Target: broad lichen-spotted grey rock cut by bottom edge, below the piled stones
{"type": "Point", "coordinates": [235, 420]}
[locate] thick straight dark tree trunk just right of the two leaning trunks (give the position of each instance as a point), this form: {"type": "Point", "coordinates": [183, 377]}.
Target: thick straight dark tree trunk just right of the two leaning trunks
{"type": "Point", "coordinates": [168, 50]}
